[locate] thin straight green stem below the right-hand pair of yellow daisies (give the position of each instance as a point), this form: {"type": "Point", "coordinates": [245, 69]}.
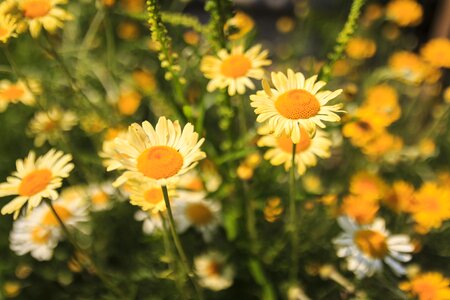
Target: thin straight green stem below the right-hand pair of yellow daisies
{"type": "Point", "coordinates": [292, 226]}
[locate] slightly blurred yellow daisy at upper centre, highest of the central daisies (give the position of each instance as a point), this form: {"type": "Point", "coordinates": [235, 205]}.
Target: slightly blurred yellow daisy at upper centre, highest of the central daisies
{"type": "Point", "coordinates": [234, 69]}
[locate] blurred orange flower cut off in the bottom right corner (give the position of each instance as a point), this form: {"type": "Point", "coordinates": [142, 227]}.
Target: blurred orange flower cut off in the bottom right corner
{"type": "Point", "coordinates": [427, 286]}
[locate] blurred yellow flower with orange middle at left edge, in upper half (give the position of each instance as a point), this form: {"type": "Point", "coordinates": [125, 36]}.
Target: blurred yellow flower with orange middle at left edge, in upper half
{"type": "Point", "coordinates": [15, 92]}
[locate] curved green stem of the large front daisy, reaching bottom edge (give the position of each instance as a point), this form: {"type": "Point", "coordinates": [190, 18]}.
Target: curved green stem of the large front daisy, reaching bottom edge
{"type": "Point", "coordinates": [184, 261]}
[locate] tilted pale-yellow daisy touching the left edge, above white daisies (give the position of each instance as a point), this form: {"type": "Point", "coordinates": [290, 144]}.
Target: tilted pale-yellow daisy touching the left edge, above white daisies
{"type": "Point", "coordinates": [35, 179]}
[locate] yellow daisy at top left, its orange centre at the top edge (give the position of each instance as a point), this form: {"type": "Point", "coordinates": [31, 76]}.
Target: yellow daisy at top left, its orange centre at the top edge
{"type": "Point", "coordinates": [43, 13]}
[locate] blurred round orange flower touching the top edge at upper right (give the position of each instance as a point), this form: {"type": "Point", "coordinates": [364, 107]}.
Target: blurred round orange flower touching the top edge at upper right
{"type": "Point", "coordinates": [404, 12]}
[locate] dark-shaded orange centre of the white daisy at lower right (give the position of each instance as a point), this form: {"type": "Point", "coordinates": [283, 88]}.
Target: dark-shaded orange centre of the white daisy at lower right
{"type": "Point", "coordinates": [371, 243]}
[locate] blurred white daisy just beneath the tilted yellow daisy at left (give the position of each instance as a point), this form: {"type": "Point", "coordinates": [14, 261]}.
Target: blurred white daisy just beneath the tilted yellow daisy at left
{"type": "Point", "coordinates": [29, 235]}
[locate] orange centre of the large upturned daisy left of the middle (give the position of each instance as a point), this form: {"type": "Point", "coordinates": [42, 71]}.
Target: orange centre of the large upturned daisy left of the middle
{"type": "Point", "coordinates": [160, 162]}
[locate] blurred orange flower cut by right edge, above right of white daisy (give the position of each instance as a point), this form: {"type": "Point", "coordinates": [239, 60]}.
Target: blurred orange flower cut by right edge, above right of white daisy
{"type": "Point", "coordinates": [431, 206]}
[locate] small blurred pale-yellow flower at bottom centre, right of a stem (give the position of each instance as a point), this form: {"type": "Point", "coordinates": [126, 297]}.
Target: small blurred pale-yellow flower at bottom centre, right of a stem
{"type": "Point", "coordinates": [213, 271]}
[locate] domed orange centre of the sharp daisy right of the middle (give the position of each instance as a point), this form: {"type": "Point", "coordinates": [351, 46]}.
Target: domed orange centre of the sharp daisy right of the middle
{"type": "Point", "coordinates": [297, 104]}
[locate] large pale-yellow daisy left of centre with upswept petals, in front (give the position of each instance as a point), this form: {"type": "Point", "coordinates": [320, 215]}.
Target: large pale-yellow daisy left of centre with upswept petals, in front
{"type": "Point", "coordinates": [157, 154]}
